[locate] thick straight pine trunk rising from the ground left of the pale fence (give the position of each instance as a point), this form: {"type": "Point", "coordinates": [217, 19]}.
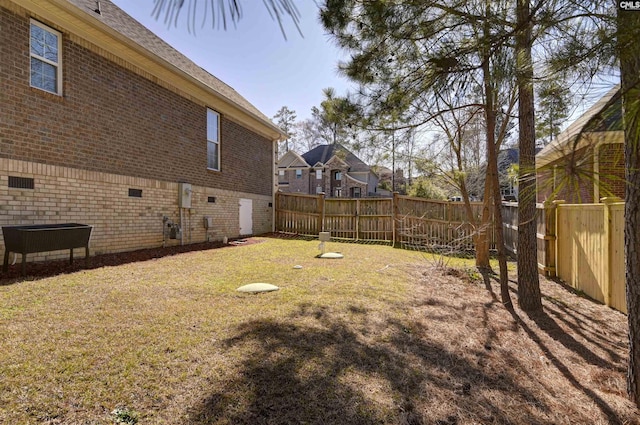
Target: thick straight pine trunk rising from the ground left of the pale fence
{"type": "Point", "coordinates": [529, 296]}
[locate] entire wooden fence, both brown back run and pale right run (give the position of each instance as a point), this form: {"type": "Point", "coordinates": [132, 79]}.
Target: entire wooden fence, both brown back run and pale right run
{"type": "Point", "coordinates": [581, 244]}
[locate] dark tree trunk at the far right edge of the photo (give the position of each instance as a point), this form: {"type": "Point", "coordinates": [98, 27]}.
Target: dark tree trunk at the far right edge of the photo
{"type": "Point", "coordinates": [629, 53]}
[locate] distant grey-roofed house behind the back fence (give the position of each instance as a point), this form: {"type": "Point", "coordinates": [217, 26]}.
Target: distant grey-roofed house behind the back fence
{"type": "Point", "coordinates": [329, 169]}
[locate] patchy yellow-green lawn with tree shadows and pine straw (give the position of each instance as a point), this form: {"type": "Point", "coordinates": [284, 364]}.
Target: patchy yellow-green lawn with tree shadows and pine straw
{"type": "Point", "coordinates": [383, 336]}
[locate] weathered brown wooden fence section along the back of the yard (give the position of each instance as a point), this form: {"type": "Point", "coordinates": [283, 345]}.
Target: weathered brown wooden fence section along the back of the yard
{"type": "Point", "coordinates": [399, 220]}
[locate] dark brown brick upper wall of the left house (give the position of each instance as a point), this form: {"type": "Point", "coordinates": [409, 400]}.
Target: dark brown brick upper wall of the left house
{"type": "Point", "coordinates": [113, 120]}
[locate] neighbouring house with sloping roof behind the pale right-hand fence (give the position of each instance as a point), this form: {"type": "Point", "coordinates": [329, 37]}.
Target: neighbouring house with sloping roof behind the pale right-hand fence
{"type": "Point", "coordinates": [586, 161]}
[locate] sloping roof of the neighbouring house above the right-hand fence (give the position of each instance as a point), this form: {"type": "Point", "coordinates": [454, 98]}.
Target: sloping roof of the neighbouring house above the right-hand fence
{"type": "Point", "coordinates": [603, 116]}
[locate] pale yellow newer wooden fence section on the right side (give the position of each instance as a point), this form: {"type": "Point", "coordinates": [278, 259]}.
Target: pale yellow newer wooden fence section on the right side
{"type": "Point", "coordinates": [582, 244]}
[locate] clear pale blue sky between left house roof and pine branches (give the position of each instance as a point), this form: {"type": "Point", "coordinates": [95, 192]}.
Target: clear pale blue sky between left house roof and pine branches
{"type": "Point", "coordinates": [254, 58]}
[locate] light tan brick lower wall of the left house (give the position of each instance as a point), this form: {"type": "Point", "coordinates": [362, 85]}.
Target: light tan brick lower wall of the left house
{"type": "Point", "coordinates": [121, 223]}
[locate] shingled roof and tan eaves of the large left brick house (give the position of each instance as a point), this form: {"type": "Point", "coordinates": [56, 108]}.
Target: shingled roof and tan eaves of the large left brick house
{"type": "Point", "coordinates": [138, 45]}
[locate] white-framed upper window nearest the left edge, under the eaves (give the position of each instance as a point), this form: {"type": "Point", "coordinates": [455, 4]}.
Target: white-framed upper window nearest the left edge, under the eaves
{"type": "Point", "coordinates": [45, 52]}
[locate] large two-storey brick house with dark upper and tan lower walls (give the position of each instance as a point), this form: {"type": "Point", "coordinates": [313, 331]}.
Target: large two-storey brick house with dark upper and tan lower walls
{"type": "Point", "coordinates": [103, 123]}
